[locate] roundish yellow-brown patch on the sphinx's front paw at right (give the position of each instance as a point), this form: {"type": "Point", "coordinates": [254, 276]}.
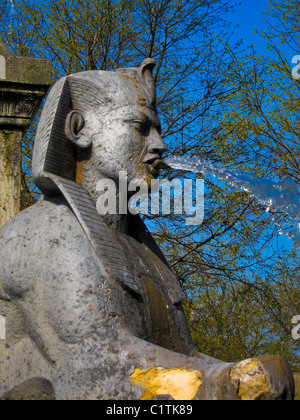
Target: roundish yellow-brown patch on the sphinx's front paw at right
{"type": "Point", "coordinates": [250, 379]}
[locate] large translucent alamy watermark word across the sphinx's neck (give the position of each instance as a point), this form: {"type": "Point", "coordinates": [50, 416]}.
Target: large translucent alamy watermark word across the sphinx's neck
{"type": "Point", "coordinates": [179, 197]}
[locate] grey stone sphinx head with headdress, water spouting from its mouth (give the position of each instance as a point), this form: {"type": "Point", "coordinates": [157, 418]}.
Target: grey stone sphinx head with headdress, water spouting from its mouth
{"type": "Point", "coordinates": [96, 124]}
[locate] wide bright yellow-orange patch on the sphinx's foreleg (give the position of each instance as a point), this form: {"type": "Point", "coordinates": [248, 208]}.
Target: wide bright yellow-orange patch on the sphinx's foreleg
{"type": "Point", "coordinates": [181, 384]}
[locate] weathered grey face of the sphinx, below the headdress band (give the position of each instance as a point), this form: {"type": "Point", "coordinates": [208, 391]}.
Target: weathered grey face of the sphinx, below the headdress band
{"type": "Point", "coordinates": [129, 141]}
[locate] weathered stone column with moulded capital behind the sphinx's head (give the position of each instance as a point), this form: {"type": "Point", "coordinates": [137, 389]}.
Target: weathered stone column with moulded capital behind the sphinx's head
{"type": "Point", "coordinates": [24, 83]}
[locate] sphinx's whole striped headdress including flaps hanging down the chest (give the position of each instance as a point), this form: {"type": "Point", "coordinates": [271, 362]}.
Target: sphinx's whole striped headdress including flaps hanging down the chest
{"type": "Point", "coordinates": [54, 159]}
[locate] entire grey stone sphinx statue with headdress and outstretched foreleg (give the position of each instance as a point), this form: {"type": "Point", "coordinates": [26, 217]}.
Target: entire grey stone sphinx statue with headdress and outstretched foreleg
{"type": "Point", "coordinates": [89, 308]}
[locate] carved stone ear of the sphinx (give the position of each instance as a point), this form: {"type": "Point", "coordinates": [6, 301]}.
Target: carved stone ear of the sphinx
{"type": "Point", "coordinates": [74, 130]}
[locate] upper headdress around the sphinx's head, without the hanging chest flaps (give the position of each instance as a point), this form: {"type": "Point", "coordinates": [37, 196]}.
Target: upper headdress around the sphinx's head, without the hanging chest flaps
{"type": "Point", "coordinates": [54, 155]}
